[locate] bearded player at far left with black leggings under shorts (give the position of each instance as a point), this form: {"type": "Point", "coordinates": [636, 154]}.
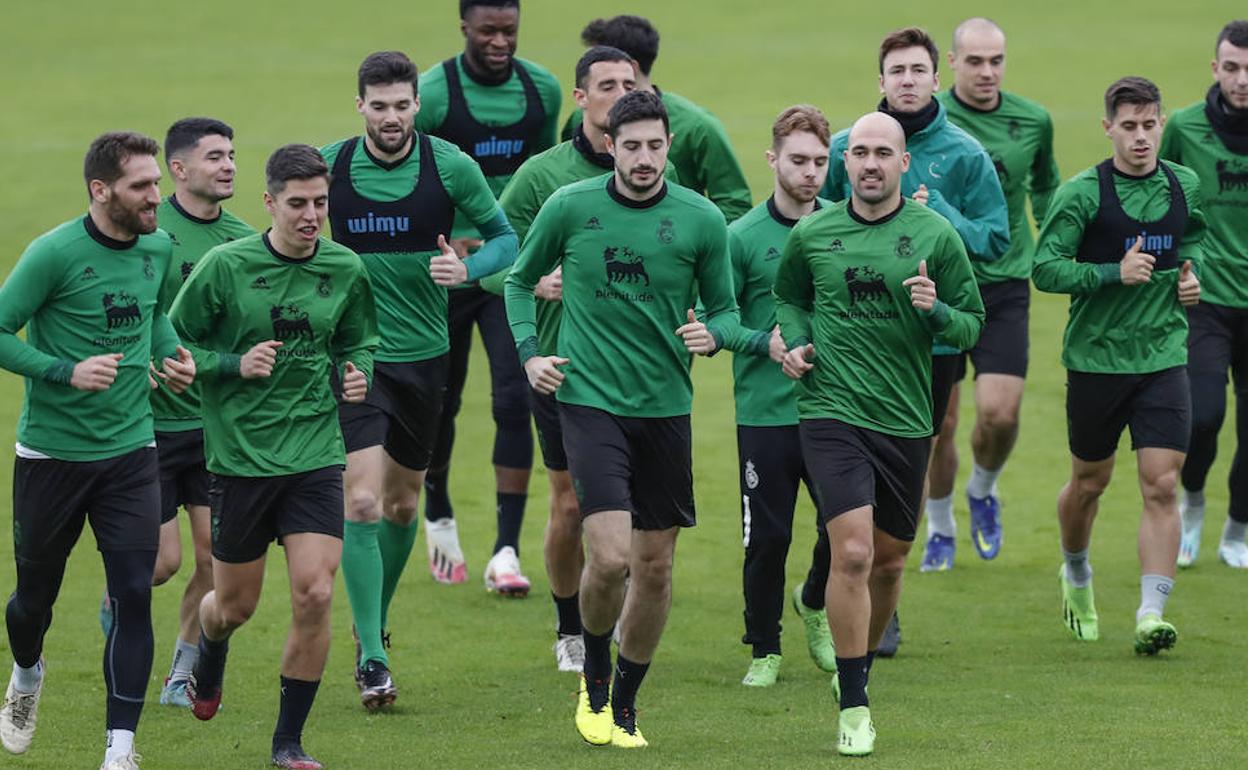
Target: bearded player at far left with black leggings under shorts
{"type": "Point", "coordinates": [92, 296]}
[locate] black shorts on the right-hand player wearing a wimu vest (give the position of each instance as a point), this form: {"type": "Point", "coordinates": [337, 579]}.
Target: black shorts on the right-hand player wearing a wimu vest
{"type": "Point", "coordinates": [1158, 407]}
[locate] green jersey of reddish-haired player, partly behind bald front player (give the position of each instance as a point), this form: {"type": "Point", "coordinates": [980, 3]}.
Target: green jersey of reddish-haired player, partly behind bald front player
{"type": "Point", "coordinates": [764, 395]}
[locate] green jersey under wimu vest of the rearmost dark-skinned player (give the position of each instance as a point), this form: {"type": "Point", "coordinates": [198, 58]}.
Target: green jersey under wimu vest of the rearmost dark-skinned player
{"type": "Point", "coordinates": [491, 105]}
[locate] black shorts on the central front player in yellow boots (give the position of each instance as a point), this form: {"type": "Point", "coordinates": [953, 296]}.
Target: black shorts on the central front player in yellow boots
{"type": "Point", "coordinates": [641, 465]}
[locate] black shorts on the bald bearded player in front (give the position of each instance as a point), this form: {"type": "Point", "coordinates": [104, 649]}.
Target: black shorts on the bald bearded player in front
{"type": "Point", "coordinates": [852, 467]}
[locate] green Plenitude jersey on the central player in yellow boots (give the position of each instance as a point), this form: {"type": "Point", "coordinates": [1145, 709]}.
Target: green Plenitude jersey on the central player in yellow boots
{"type": "Point", "coordinates": [632, 271]}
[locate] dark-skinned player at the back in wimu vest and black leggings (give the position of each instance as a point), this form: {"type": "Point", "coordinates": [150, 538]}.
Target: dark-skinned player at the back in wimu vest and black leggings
{"type": "Point", "coordinates": [501, 110]}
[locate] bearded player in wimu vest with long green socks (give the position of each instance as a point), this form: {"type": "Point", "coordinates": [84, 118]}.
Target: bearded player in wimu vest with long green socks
{"type": "Point", "coordinates": [392, 200]}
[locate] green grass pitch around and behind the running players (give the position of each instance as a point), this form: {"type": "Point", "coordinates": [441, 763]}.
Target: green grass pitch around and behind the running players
{"type": "Point", "coordinates": [987, 677]}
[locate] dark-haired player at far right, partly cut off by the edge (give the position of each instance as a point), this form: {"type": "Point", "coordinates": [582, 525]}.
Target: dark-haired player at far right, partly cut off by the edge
{"type": "Point", "coordinates": [1211, 138]}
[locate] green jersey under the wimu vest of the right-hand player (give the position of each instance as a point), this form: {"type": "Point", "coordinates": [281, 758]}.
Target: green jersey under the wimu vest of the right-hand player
{"type": "Point", "coordinates": [1116, 329]}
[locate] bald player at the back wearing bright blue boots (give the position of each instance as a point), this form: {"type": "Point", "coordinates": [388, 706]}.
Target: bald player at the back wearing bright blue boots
{"type": "Point", "coordinates": [1019, 137]}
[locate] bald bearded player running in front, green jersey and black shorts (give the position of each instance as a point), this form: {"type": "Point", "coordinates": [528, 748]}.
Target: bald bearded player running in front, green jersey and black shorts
{"type": "Point", "coordinates": [860, 316]}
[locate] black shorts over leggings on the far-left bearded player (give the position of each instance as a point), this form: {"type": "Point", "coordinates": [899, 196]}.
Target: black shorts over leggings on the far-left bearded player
{"type": "Point", "coordinates": [52, 500]}
